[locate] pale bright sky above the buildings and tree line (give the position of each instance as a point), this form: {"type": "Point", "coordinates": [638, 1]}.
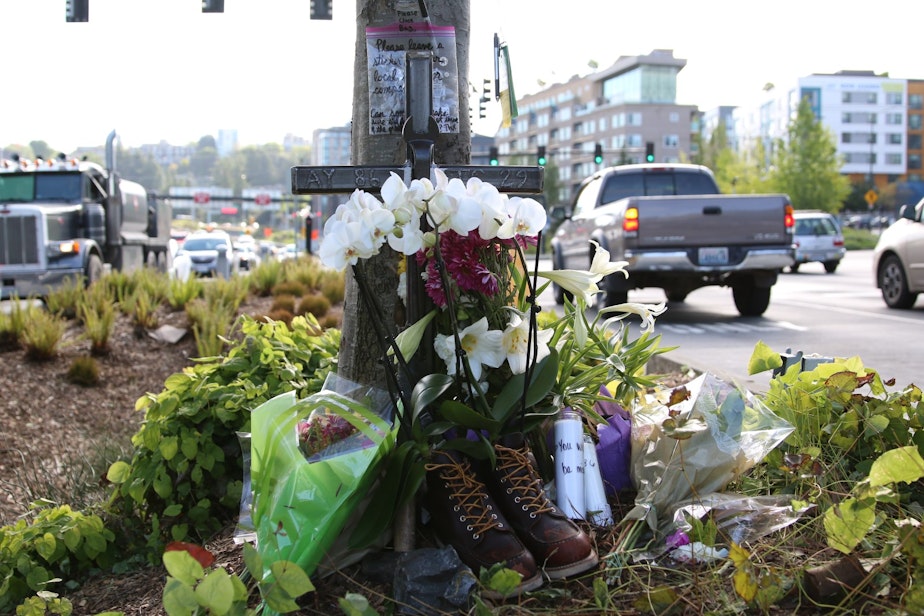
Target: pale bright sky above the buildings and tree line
{"type": "Point", "coordinates": [158, 70]}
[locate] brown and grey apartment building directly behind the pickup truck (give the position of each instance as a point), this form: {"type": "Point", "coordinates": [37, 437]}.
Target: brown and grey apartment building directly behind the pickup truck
{"type": "Point", "coordinates": [623, 108]}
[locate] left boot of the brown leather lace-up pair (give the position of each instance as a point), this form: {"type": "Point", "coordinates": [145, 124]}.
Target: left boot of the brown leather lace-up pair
{"type": "Point", "coordinates": [464, 516]}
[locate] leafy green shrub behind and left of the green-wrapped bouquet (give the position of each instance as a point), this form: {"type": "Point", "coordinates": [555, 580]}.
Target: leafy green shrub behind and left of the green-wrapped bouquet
{"type": "Point", "coordinates": [185, 477]}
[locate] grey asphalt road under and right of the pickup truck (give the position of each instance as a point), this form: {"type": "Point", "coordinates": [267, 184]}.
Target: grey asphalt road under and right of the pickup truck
{"type": "Point", "coordinates": [835, 315]}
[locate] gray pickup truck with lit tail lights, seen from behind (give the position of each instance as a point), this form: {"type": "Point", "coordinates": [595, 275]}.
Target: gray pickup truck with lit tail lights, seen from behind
{"type": "Point", "coordinates": [677, 233]}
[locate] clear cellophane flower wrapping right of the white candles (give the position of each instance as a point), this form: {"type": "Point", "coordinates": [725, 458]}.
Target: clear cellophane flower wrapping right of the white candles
{"type": "Point", "coordinates": [724, 431]}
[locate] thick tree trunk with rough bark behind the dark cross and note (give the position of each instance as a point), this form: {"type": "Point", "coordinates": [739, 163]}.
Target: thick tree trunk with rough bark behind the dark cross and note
{"type": "Point", "coordinates": [360, 354]}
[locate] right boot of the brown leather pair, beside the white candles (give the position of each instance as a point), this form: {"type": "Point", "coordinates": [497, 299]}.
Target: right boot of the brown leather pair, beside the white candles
{"type": "Point", "coordinates": [559, 546]}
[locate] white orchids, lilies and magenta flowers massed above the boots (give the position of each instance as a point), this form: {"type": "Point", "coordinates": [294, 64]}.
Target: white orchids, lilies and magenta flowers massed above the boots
{"type": "Point", "coordinates": [498, 367]}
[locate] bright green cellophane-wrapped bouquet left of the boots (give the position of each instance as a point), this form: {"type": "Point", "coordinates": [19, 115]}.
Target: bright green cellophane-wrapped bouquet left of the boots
{"type": "Point", "coordinates": [305, 491]}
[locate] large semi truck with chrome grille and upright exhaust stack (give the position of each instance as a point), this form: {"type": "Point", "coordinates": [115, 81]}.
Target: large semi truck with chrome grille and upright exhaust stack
{"type": "Point", "coordinates": [63, 219]}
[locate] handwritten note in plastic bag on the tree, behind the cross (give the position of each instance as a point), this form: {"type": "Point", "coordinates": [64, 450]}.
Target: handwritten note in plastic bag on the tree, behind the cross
{"type": "Point", "coordinates": [387, 48]}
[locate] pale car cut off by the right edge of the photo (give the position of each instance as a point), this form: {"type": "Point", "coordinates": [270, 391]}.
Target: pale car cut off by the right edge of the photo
{"type": "Point", "coordinates": [898, 258]}
